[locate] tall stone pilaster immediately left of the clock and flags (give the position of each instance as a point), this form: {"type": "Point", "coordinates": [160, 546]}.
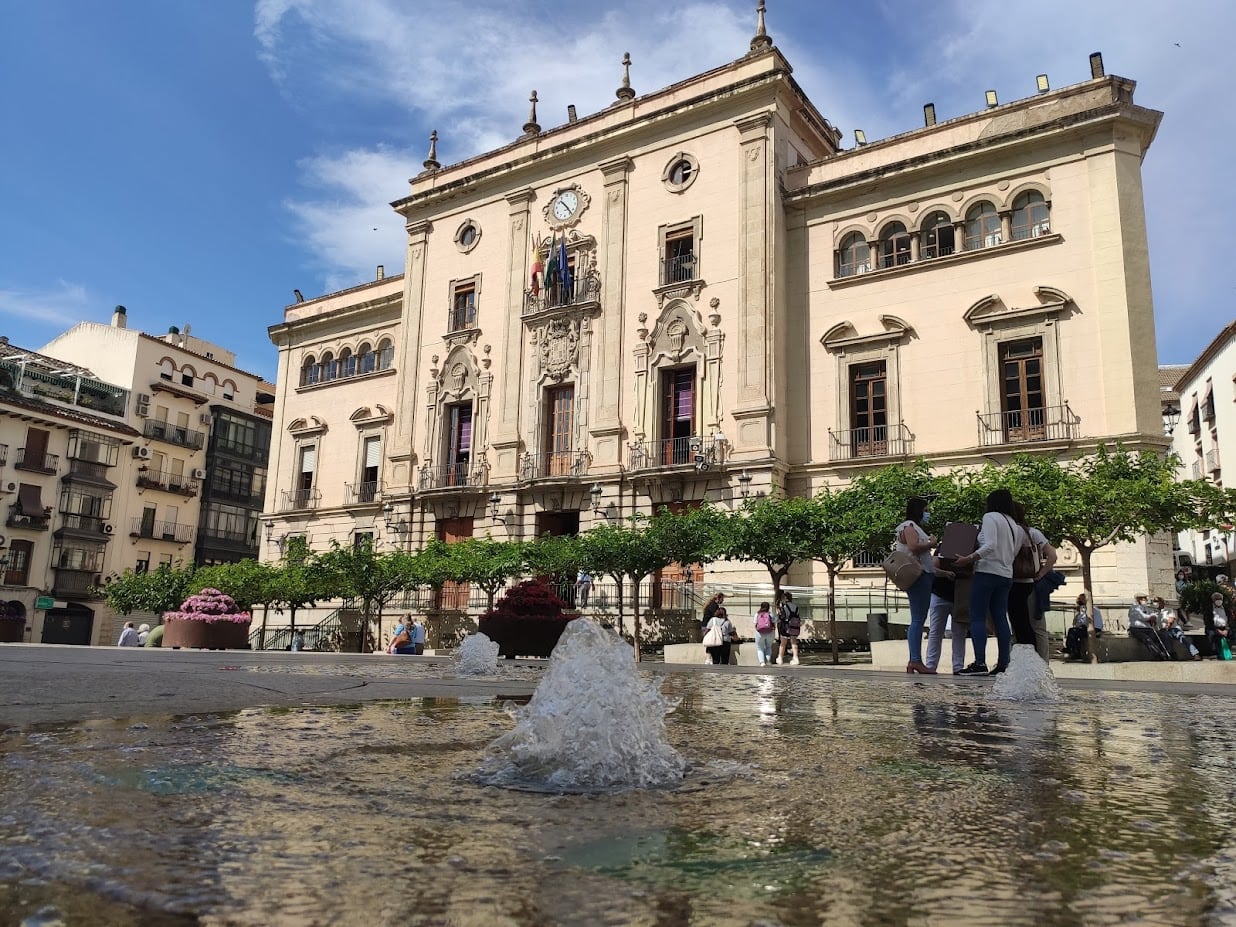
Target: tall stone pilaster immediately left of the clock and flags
{"type": "Point", "coordinates": [507, 434]}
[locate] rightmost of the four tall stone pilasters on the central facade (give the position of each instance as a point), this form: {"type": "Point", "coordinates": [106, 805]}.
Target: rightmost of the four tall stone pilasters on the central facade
{"type": "Point", "coordinates": [755, 328]}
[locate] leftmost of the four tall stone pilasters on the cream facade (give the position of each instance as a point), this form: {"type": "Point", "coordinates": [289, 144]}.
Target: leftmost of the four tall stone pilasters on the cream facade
{"type": "Point", "coordinates": [402, 455]}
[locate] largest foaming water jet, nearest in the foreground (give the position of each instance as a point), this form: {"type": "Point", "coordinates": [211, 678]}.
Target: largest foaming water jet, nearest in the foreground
{"type": "Point", "coordinates": [594, 724]}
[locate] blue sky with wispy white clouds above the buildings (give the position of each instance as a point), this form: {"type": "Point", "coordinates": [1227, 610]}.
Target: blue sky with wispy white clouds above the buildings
{"type": "Point", "coordinates": [198, 161]}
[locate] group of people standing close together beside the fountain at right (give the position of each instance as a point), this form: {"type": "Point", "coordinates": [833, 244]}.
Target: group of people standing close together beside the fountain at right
{"type": "Point", "coordinates": [1004, 579]}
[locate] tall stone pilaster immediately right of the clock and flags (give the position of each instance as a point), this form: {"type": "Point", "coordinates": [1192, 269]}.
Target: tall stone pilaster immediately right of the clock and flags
{"type": "Point", "coordinates": [605, 381]}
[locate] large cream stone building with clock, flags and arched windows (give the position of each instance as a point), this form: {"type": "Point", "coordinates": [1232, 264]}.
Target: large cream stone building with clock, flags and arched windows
{"type": "Point", "coordinates": [700, 295]}
